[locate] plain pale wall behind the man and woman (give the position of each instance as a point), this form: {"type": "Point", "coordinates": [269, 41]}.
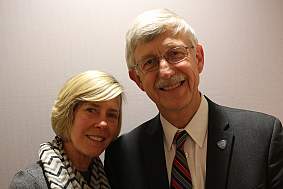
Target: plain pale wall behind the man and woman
{"type": "Point", "coordinates": [44, 42]}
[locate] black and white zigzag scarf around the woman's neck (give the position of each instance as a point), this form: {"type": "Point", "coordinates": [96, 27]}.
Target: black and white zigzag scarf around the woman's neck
{"type": "Point", "coordinates": [60, 174]}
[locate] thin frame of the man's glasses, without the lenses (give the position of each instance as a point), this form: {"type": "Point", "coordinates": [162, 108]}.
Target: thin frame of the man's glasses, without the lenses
{"type": "Point", "coordinates": [138, 67]}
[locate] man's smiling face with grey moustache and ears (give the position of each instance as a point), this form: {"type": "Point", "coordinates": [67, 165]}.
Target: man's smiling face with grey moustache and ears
{"type": "Point", "coordinates": [173, 87]}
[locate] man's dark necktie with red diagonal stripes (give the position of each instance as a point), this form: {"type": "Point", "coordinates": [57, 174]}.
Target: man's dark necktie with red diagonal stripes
{"type": "Point", "coordinates": [180, 175]}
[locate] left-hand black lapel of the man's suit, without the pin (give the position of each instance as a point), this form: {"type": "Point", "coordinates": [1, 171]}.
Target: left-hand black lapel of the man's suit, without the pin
{"type": "Point", "coordinates": [154, 156]}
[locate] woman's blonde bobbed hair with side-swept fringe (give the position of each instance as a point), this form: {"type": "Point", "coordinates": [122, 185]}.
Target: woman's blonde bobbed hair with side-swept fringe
{"type": "Point", "coordinates": [90, 86]}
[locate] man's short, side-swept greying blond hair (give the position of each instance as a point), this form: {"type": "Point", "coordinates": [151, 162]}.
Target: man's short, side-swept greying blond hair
{"type": "Point", "coordinates": [152, 23]}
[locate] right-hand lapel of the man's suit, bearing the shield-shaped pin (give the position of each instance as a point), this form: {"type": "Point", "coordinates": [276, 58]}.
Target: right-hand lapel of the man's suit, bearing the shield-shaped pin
{"type": "Point", "coordinates": [219, 148]}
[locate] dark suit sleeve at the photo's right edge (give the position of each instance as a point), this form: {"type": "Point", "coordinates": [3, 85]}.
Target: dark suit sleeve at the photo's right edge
{"type": "Point", "coordinates": [275, 160]}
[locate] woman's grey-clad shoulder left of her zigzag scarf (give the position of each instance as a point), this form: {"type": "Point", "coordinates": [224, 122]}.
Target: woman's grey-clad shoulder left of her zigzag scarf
{"type": "Point", "coordinates": [31, 177]}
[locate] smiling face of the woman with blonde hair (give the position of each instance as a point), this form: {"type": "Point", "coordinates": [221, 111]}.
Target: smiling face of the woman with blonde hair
{"type": "Point", "coordinates": [95, 125]}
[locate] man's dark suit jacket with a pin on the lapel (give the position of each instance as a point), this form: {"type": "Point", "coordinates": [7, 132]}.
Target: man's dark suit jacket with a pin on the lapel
{"type": "Point", "coordinates": [252, 159]}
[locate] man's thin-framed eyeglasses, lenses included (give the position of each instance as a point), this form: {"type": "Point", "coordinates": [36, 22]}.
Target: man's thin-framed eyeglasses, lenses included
{"type": "Point", "coordinates": [173, 56]}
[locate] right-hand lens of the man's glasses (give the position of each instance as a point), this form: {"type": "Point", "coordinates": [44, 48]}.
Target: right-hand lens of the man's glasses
{"type": "Point", "coordinates": [176, 54]}
